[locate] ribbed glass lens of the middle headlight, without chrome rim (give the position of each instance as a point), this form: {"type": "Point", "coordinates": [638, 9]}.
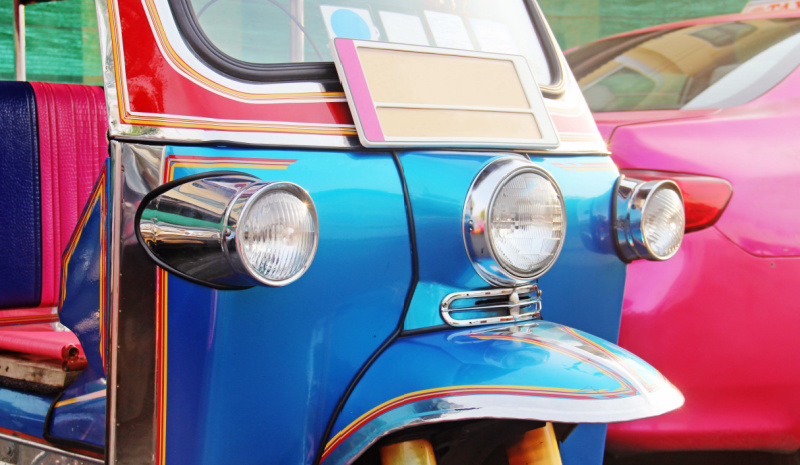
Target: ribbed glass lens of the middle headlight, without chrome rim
{"type": "Point", "coordinates": [526, 223]}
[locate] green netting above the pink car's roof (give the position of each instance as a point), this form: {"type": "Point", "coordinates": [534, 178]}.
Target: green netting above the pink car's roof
{"type": "Point", "coordinates": [575, 22]}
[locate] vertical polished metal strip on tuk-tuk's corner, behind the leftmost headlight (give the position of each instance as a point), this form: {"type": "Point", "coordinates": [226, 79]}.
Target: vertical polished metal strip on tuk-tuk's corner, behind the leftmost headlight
{"type": "Point", "coordinates": [131, 407]}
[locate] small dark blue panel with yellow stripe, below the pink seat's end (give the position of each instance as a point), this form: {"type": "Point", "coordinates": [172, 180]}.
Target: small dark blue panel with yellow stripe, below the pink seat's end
{"type": "Point", "coordinates": [83, 421]}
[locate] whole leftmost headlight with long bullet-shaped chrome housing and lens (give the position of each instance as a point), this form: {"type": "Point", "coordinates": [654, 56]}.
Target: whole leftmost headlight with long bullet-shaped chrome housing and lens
{"type": "Point", "coordinates": [229, 230]}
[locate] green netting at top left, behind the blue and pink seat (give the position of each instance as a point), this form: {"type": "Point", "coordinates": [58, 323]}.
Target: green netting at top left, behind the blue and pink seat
{"type": "Point", "coordinates": [61, 42]}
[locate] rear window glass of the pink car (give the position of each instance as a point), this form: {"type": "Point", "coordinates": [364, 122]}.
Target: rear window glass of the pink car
{"type": "Point", "coordinates": [703, 66]}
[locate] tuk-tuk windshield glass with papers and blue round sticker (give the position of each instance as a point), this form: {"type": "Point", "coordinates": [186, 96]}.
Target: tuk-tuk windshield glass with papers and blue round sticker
{"type": "Point", "coordinates": [286, 31]}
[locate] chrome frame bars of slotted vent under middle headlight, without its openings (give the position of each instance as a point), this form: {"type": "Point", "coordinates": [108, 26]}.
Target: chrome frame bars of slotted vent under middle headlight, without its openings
{"type": "Point", "coordinates": [517, 301]}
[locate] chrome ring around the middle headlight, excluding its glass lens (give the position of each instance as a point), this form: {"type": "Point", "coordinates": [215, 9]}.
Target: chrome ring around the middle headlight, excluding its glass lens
{"type": "Point", "coordinates": [477, 210]}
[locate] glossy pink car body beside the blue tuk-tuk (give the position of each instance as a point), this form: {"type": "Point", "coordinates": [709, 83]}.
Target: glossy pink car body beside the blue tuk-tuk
{"type": "Point", "coordinates": [720, 319]}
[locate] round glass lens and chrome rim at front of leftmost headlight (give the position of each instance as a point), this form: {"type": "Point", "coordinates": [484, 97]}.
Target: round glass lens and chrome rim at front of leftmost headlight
{"type": "Point", "coordinates": [274, 232]}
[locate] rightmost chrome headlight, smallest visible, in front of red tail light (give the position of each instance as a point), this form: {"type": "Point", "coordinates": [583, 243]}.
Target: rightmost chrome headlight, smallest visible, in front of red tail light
{"type": "Point", "coordinates": [649, 219]}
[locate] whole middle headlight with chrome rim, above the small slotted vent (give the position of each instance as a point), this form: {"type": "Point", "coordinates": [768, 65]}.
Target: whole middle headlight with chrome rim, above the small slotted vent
{"type": "Point", "coordinates": [514, 222]}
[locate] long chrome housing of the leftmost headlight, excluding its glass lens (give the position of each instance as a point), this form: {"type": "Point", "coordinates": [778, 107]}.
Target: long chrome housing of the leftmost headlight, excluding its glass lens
{"type": "Point", "coordinates": [192, 229]}
